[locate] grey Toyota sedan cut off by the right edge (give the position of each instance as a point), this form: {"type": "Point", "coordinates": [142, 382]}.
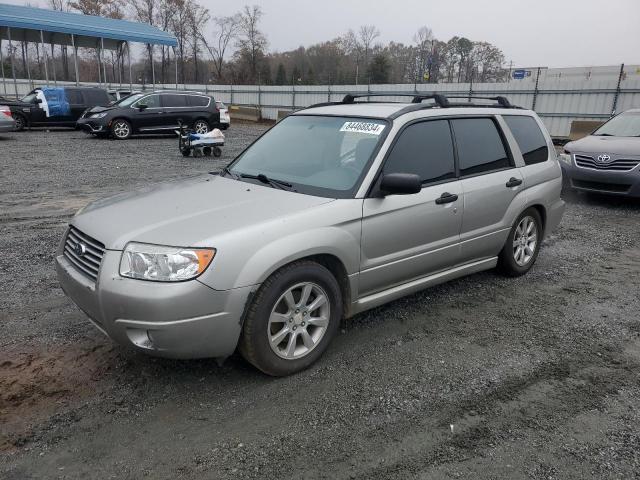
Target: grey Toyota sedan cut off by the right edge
{"type": "Point", "coordinates": [608, 160]}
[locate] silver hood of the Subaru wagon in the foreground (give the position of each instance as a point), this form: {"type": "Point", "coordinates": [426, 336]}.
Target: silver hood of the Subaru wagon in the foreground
{"type": "Point", "coordinates": [187, 213]}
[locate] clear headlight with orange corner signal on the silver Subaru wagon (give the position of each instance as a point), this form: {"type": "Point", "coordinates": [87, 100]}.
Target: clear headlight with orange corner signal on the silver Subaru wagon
{"type": "Point", "coordinates": [164, 264]}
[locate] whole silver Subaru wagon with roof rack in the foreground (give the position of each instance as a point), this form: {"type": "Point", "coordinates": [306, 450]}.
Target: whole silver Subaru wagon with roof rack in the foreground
{"type": "Point", "coordinates": [337, 209]}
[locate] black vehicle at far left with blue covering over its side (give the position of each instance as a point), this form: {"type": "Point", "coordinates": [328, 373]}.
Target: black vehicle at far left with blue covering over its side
{"type": "Point", "coordinates": [54, 106]}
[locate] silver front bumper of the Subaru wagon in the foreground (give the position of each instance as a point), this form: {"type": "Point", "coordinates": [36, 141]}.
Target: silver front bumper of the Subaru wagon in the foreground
{"type": "Point", "coordinates": [174, 320]}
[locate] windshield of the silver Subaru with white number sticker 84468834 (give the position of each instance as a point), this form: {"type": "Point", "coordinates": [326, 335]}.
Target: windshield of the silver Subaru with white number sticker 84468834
{"type": "Point", "coordinates": [319, 155]}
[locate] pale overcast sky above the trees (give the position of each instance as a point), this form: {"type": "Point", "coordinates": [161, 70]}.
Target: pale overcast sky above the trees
{"type": "Point", "coordinates": [551, 33]}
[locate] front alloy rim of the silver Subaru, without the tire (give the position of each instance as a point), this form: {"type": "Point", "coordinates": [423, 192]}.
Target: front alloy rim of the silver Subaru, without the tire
{"type": "Point", "coordinates": [298, 320]}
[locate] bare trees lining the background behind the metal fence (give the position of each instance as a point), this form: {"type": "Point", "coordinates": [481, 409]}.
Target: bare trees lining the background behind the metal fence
{"type": "Point", "coordinates": [235, 50]}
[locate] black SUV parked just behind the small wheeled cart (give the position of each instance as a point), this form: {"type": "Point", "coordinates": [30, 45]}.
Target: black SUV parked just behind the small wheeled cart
{"type": "Point", "coordinates": [154, 112]}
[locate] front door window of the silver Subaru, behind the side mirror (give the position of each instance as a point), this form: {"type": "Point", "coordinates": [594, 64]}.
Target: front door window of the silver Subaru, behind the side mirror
{"type": "Point", "coordinates": [425, 149]}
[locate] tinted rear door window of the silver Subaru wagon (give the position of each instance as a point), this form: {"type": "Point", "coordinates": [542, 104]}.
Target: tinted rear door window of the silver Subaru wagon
{"type": "Point", "coordinates": [480, 147]}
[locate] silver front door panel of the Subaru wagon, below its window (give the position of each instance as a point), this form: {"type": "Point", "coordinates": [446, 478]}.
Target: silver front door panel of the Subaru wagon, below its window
{"type": "Point", "coordinates": [409, 236]}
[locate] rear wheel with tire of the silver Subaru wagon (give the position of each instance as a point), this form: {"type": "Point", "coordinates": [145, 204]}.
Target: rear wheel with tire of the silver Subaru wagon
{"type": "Point", "coordinates": [520, 252]}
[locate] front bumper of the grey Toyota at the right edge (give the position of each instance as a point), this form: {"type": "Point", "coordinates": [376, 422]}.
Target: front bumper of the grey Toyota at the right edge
{"type": "Point", "coordinates": [608, 182]}
